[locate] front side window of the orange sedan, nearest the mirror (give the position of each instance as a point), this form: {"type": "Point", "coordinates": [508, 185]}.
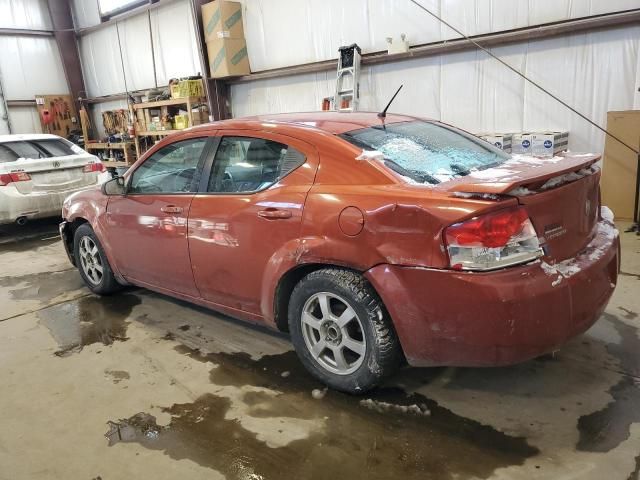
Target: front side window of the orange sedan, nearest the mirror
{"type": "Point", "coordinates": [175, 168]}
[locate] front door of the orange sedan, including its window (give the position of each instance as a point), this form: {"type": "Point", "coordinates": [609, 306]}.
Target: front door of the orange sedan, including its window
{"type": "Point", "coordinates": [148, 226]}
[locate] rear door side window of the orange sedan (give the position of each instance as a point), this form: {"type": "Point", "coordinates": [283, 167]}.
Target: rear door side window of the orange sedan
{"type": "Point", "coordinates": [246, 164]}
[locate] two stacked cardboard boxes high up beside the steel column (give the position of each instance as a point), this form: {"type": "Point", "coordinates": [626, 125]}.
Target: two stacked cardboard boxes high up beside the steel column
{"type": "Point", "coordinates": [224, 35]}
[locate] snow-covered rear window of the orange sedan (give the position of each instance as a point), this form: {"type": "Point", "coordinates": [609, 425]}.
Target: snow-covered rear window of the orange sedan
{"type": "Point", "coordinates": [427, 152]}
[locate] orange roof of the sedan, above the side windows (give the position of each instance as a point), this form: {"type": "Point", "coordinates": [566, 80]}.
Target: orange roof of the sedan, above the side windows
{"type": "Point", "coordinates": [329, 121]}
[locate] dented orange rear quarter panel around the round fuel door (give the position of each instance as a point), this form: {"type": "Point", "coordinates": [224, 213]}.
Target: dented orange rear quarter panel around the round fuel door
{"type": "Point", "coordinates": [403, 223]}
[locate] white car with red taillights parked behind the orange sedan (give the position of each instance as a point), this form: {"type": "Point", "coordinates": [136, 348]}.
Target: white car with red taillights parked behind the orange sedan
{"type": "Point", "coordinates": [37, 172]}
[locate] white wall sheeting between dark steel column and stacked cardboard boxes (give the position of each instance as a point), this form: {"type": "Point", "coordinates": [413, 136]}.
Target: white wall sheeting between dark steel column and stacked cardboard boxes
{"type": "Point", "coordinates": [174, 48]}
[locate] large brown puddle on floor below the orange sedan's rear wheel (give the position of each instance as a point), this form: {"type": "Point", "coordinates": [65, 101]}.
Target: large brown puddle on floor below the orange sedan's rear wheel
{"type": "Point", "coordinates": [386, 434]}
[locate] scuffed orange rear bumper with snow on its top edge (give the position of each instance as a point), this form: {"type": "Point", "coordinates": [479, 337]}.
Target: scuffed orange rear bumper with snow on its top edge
{"type": "Point", "coordinates": [445, 317]}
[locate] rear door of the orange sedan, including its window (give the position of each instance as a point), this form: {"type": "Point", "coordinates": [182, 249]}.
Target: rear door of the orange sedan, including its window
{"type": "Point", "coordinates": [250, 213]}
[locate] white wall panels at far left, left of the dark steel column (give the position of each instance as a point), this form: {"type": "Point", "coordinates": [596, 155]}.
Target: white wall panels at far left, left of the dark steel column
{"type": "Point", "coordinates": [28, 65]}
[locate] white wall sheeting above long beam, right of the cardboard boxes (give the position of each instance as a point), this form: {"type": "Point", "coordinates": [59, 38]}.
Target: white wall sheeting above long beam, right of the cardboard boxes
{"type": "Point", "coordinates": [290, 32]}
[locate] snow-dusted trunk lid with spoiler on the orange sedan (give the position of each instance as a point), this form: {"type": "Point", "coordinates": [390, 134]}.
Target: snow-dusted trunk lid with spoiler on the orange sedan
{"type": "Point", "coordinates": [561, 196]}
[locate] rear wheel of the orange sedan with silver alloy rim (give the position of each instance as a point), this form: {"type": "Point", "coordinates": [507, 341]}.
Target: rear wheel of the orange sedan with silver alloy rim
{"type": "Point", "coordinates": [341, 331]}
